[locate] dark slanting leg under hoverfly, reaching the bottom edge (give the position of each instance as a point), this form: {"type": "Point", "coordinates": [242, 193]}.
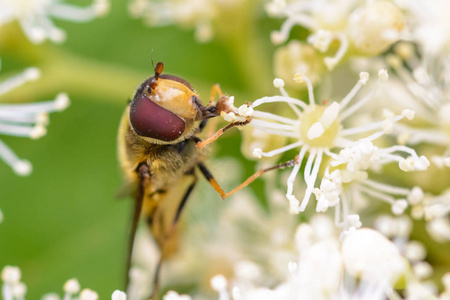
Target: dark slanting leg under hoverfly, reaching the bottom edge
{"type": "Point", "coordinates": [168, 234]}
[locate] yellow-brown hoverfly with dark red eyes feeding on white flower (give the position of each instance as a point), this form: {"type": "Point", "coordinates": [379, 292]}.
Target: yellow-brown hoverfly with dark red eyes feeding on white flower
{"type": "Point", "coordinates": [159, 153]}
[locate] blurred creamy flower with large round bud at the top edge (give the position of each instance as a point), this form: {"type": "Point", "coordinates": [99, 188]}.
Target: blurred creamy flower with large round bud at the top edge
{"type": "Point", "coordinates": [368, 27]}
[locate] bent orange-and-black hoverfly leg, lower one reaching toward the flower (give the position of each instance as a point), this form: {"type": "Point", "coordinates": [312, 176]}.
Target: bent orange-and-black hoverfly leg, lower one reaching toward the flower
{"type": "Point", "coordinates": [249, 180]}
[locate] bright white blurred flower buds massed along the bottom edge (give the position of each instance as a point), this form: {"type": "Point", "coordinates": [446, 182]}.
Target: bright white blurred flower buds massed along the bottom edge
{"type": "Point", "coordinates": [366, 265]}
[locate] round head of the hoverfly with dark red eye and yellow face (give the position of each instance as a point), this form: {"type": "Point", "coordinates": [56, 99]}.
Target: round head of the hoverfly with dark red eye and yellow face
{"type": "Point", "coordinates": [164, 110]}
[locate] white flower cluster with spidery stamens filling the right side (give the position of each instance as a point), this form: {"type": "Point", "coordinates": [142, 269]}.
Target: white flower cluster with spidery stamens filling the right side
{"type": "Point", "coordinates": [353, 159]}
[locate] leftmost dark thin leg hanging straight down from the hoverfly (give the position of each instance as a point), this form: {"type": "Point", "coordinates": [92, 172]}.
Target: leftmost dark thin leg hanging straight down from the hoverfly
{"type": "Point", "coordinates": [144, 176]}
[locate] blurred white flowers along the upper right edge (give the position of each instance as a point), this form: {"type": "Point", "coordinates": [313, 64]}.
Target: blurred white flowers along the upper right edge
{"type": "Point", "coordinates": [424, 82]}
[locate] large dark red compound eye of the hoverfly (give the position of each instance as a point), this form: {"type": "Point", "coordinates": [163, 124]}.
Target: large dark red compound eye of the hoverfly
{"type": "Point", "coordinates": [151, 120]}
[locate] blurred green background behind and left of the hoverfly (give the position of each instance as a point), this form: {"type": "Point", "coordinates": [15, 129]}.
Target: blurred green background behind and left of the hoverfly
{"type": "Point", "coordinates": [63, 221]}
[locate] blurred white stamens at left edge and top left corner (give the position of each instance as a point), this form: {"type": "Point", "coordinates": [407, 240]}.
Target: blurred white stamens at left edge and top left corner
{"type": "Point", "coordinates": [34, 17]}
